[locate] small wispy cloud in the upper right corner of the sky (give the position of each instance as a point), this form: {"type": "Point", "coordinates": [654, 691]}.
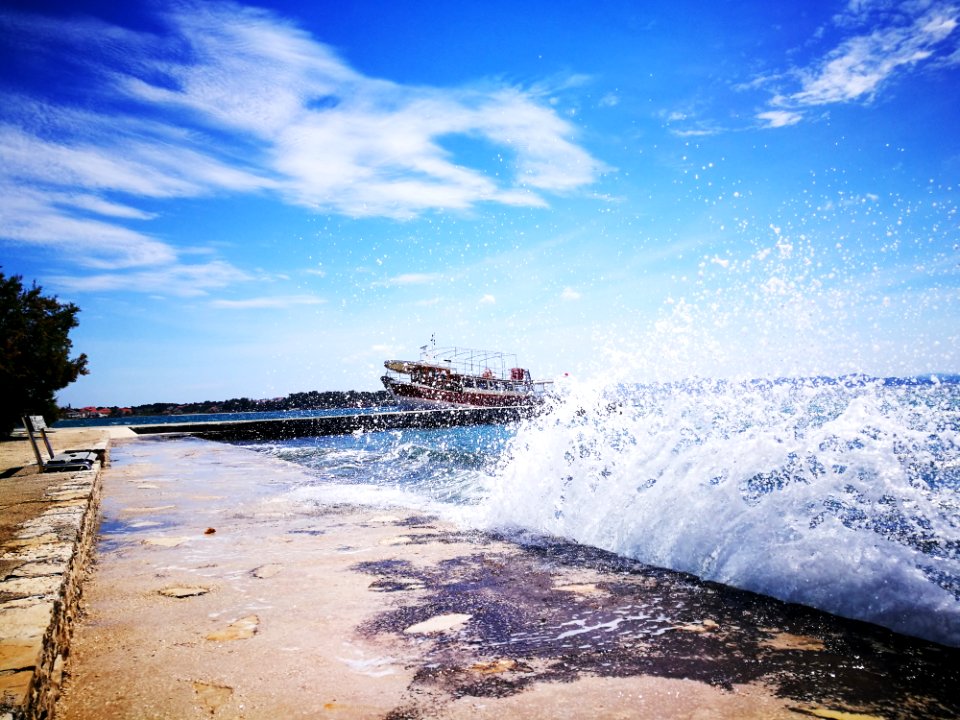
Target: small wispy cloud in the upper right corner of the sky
{"type": "Point", "coordinates": [860, 66]}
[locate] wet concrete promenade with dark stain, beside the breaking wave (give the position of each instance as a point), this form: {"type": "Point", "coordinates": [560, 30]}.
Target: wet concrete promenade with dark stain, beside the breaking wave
{"type": "Point", "coordinates": [217, 595]}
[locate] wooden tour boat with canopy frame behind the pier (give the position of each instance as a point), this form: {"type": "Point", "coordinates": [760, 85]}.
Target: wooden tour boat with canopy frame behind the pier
{"type": "Point", "coordinates": [454, 376]}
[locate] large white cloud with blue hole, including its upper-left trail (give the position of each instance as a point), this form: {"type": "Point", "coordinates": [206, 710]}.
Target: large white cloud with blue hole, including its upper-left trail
{"type": "Point", "coordinates": [344, 142]}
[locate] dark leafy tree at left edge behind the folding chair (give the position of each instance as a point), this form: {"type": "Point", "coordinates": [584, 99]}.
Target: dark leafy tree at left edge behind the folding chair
{"type": "Point", "coordinates": [34, 352]}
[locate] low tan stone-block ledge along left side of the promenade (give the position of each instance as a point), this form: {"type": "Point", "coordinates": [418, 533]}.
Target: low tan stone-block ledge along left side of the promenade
{"type": "Point", "coordinates": [41, 568]}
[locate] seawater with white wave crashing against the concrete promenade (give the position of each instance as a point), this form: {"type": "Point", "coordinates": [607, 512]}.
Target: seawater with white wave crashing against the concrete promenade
{"type": "Point", "coordinates": [838, 493]}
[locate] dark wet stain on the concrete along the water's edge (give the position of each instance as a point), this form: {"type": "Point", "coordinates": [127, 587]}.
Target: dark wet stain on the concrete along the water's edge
{"type": "Point", "coordinates": [638, 620]}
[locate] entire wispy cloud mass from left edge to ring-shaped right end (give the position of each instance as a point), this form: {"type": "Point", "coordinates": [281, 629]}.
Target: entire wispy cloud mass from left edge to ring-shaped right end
{"type": "Point", "coordinates": [231, 99]}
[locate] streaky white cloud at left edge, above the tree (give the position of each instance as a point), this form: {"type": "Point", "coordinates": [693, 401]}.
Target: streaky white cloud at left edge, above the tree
{"type": "Point", "coordinates": [50, 189]}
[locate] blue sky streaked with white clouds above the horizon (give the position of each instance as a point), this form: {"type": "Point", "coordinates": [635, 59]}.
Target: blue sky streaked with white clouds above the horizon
{"type": "Point", "coordinates": [253, 200]}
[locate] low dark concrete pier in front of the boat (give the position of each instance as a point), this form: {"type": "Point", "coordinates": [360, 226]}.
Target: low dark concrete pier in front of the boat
{"type": "Point", "coordinates": [285, 428]}
